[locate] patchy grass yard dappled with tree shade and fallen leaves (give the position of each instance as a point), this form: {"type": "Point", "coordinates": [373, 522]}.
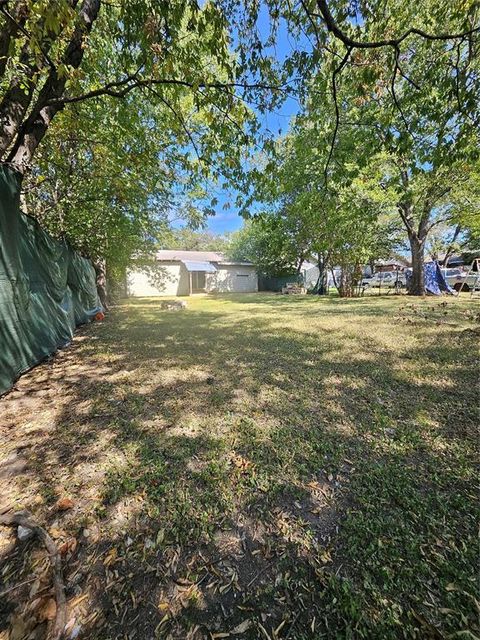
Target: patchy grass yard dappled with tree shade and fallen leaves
{"type": "Point", "coordinates": [255, 466]}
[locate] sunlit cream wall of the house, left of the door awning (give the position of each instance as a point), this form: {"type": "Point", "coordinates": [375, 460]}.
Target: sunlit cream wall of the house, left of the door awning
{"type": "Point", "coordinates": [162, 279]}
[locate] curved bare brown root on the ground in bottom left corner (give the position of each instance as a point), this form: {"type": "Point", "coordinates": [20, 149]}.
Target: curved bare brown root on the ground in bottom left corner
{"type": "Point", "coordinates": [24, 519]}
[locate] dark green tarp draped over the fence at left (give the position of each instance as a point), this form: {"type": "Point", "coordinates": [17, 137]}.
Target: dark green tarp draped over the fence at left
{"type": "Point", "coordinates": [46, 289]}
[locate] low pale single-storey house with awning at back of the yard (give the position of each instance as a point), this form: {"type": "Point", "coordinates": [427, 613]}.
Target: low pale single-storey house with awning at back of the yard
{"type": "Point", "coordinates": [181, 273]}
